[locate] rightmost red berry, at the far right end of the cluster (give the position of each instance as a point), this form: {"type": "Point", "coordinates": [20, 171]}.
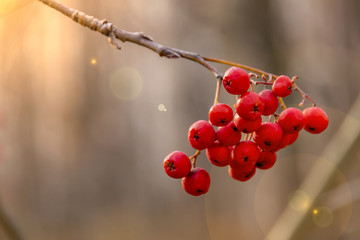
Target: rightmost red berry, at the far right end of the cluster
{"type": "Point", "coordinates": [316, 120]}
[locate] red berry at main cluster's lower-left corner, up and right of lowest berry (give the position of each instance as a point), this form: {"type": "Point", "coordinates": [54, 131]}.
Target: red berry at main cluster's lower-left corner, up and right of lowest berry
{"type": "Point", "coordinates": [218, 154]}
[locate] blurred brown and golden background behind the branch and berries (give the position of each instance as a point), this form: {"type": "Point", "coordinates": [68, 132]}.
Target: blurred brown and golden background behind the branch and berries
{"type": "Point", "coordinates": [84, 128]}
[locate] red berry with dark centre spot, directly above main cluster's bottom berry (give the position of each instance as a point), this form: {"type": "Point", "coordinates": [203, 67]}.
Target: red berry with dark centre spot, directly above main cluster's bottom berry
{"type": "Point", "coordinates": [245, 156]}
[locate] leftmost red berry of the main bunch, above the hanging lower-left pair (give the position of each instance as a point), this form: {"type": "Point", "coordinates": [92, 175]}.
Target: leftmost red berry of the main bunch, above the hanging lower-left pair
{"type": "Point", "coordinates": [201, 135]}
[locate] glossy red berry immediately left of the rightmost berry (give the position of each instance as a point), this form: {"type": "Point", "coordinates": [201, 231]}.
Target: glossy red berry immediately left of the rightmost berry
{"type": "Point", "coordinates": [291, 120]}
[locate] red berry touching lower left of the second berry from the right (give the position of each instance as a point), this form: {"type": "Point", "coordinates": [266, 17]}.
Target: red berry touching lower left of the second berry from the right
{"type": "Point", "coordinates": [268, 136]}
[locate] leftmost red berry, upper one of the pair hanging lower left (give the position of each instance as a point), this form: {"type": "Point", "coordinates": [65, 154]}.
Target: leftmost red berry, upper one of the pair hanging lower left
{"type": "Point", "coordinates": [177, 164]}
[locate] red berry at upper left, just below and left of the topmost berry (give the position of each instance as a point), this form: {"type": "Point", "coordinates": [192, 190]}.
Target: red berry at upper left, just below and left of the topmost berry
{"type": "Point", "coordinates": [220, 114]}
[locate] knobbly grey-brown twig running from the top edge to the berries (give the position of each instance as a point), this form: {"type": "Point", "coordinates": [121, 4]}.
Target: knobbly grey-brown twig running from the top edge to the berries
{"type": "Point", "coordinates": [114, 33]}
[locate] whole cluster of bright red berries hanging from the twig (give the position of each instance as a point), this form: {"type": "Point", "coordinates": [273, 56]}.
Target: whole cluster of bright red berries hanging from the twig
{"type": "Point", "coordinates": [243, 141]}
